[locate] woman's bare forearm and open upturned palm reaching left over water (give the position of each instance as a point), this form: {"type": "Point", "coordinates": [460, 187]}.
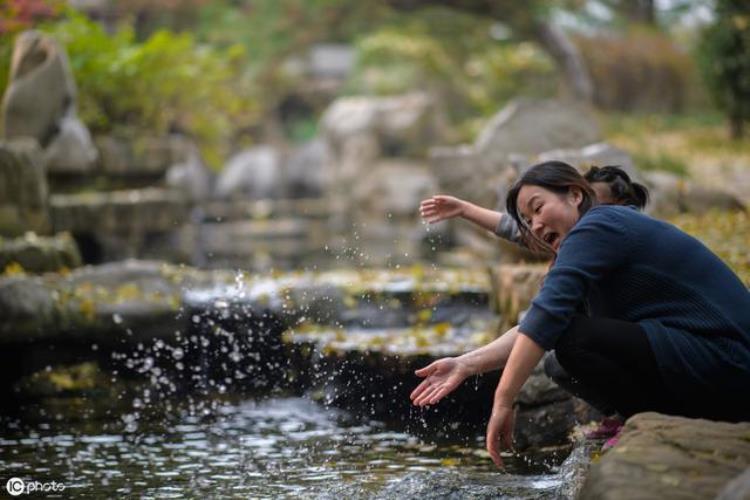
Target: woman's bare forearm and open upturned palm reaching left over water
{"type": "Point", "coordinates": [444, 375]}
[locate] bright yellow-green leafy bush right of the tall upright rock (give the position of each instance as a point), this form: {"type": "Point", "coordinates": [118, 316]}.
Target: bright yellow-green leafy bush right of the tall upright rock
{"type": "Point", "coordinates": [168, 81]}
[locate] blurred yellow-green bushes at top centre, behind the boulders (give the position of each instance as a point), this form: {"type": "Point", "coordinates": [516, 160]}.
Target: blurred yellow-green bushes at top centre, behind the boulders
{"type": "Point", "coordinates": [453, 56]}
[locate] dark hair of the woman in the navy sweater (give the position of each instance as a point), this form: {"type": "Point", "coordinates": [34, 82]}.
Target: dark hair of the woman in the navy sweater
{"type": "Point", "coordinates": [555, 176]}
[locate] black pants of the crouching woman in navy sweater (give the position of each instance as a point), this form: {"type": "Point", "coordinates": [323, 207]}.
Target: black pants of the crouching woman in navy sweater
{"type": "Point", "coordinates": [610, 364]}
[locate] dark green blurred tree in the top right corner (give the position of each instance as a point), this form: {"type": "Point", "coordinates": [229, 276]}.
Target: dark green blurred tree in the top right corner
{"type": "Point", "coordinates": [724, 56]}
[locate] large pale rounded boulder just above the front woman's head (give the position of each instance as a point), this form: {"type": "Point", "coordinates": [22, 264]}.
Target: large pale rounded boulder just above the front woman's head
{"type": "Point", "coordinates": [532, 127]}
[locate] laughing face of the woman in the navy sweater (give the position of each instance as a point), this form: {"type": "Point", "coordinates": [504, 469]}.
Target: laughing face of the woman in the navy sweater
{"type": "Point", "coordinates": [549, 215]}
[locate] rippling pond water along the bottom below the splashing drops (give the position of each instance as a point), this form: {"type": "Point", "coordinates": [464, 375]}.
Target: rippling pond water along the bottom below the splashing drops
{"type": "Point", "coordinates": [238, 446]}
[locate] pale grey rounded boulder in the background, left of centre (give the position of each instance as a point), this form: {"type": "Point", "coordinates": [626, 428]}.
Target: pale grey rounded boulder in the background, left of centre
{"type": "Point", "coordinates": [253, 173]}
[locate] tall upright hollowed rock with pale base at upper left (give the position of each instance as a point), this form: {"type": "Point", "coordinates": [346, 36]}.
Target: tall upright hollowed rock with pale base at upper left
{"type": "Point", "coordinates": [40, 103]}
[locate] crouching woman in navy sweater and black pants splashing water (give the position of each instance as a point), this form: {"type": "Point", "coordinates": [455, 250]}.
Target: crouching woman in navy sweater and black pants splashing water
{"type": "Point", "coordinates": [668, 323]}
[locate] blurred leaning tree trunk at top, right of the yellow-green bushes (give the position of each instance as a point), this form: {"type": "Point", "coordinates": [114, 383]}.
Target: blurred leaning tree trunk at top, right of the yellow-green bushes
{"type": "Point", "coordinates": [568, 59]}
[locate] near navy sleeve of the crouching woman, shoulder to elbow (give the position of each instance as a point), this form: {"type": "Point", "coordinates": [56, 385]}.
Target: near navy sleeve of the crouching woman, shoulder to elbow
{"type": "Point", "coordinates": [599, 243]}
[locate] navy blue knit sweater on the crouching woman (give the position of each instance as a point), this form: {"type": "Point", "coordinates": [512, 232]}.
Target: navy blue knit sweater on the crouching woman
{"type": "Point", "coordinates": [622, 264]}
